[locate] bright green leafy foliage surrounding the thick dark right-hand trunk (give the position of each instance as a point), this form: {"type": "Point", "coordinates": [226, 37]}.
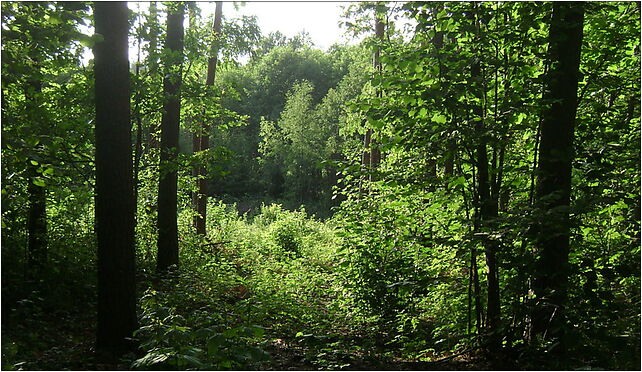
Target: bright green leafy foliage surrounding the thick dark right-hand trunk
{"type": "Point", "coordinates": [426, 120]}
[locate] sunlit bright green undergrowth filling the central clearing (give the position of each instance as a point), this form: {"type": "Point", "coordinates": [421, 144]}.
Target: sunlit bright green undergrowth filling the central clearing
{"type": "Point", "coordinates": [254, 280]}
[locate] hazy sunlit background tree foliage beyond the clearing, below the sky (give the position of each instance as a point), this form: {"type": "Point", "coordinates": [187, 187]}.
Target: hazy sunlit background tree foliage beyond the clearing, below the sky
{"type": "Point", "coordinates": [265, 85]}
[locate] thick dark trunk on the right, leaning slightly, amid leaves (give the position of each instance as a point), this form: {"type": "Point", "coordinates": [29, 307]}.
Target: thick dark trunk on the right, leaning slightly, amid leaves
{"type": "Point", "coordinates": [552, 199]}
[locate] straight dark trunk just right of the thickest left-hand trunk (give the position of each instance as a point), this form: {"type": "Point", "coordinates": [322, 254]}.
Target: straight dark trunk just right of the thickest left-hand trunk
{"type": "Point", "coordinates": [167, 188]}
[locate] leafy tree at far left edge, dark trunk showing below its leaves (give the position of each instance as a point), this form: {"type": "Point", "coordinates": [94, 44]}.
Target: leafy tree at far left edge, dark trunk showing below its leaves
{"type": "Point", "coordinates": [32, 33]}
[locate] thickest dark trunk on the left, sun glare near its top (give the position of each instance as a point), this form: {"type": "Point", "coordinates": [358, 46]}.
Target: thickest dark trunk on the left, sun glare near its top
{"type": "Point", "coordinates": [114, 185]}
